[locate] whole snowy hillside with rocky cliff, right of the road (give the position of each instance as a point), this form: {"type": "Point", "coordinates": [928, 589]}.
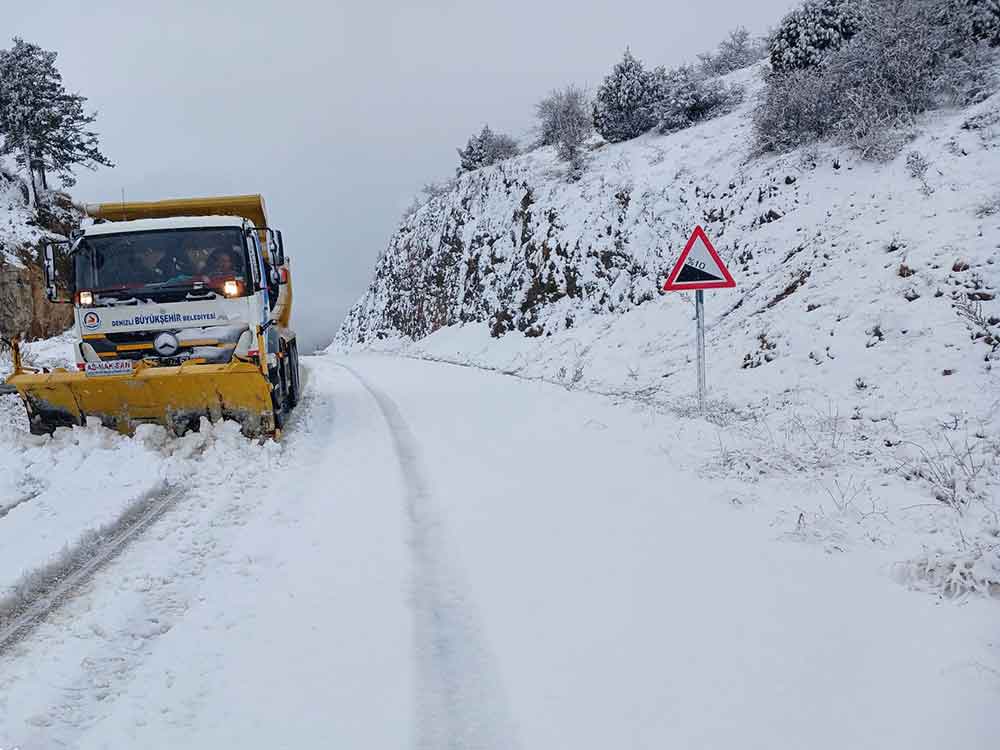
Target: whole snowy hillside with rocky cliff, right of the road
{"type": "Point", "coordinates": [858, 351]}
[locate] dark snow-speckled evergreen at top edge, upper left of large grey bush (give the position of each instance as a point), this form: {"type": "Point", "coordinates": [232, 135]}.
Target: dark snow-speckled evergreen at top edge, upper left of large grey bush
{"type": "Point", "coordinates": [811, 31]}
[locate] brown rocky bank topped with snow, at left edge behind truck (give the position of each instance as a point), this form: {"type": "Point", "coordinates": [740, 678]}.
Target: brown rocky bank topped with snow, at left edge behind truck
{"type": "Point", "coordinates": [24, 310]}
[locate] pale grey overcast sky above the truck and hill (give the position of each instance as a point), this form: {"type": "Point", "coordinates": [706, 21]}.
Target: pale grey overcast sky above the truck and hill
{"type": "Point", "coordinates": [337, 112]}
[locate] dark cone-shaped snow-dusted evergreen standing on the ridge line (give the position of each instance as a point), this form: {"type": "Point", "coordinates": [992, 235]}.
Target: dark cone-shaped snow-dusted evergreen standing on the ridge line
{"type": "Point", "coordinates": [624, 104]}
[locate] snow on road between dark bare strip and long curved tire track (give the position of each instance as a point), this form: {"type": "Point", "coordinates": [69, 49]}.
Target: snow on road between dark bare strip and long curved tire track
{"type": "Point", "coordinates": [267, 608]}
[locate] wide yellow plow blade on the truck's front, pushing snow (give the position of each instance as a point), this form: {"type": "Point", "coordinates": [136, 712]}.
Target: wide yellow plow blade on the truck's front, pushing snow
{"type": "Point", "coordinates": [175, 397]}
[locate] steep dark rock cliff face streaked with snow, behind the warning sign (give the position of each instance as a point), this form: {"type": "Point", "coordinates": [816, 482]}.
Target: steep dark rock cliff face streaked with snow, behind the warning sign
{"type": "Point", "coordinates": [520, 248]}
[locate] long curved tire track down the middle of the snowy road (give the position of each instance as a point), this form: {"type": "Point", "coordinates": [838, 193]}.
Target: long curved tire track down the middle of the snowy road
{"type": "Point", "coordinates": [459, 700]}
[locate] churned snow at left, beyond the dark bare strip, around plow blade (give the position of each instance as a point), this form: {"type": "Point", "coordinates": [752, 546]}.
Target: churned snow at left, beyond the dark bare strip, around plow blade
{"type": "Point", "coordinates": [60, 494]}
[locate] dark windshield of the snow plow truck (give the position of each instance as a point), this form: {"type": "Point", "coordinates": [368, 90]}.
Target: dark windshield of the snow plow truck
{"type": "Point", "coordinates": [145, 262]}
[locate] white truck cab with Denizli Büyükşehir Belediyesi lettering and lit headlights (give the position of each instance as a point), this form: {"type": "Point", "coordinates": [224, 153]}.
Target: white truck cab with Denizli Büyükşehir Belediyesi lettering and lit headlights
{"type": "Point", "coordinates": [167, 291]}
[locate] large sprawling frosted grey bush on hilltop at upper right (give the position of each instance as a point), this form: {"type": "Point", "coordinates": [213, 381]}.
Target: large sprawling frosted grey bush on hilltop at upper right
{"type": "Point", "coordinates": [907, 56]}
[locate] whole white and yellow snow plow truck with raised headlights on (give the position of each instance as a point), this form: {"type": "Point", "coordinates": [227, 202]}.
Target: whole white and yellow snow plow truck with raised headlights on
{"type": "Point", "coordinates": [182, 311]}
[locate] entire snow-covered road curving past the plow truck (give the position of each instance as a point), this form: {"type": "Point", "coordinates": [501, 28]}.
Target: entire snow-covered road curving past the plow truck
{"type": "Point", "coordinates": [438, 557]}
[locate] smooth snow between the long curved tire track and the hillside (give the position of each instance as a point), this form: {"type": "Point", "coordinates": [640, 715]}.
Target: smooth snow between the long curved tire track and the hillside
{"type": "Point", "coordinates": [630, 600]}
